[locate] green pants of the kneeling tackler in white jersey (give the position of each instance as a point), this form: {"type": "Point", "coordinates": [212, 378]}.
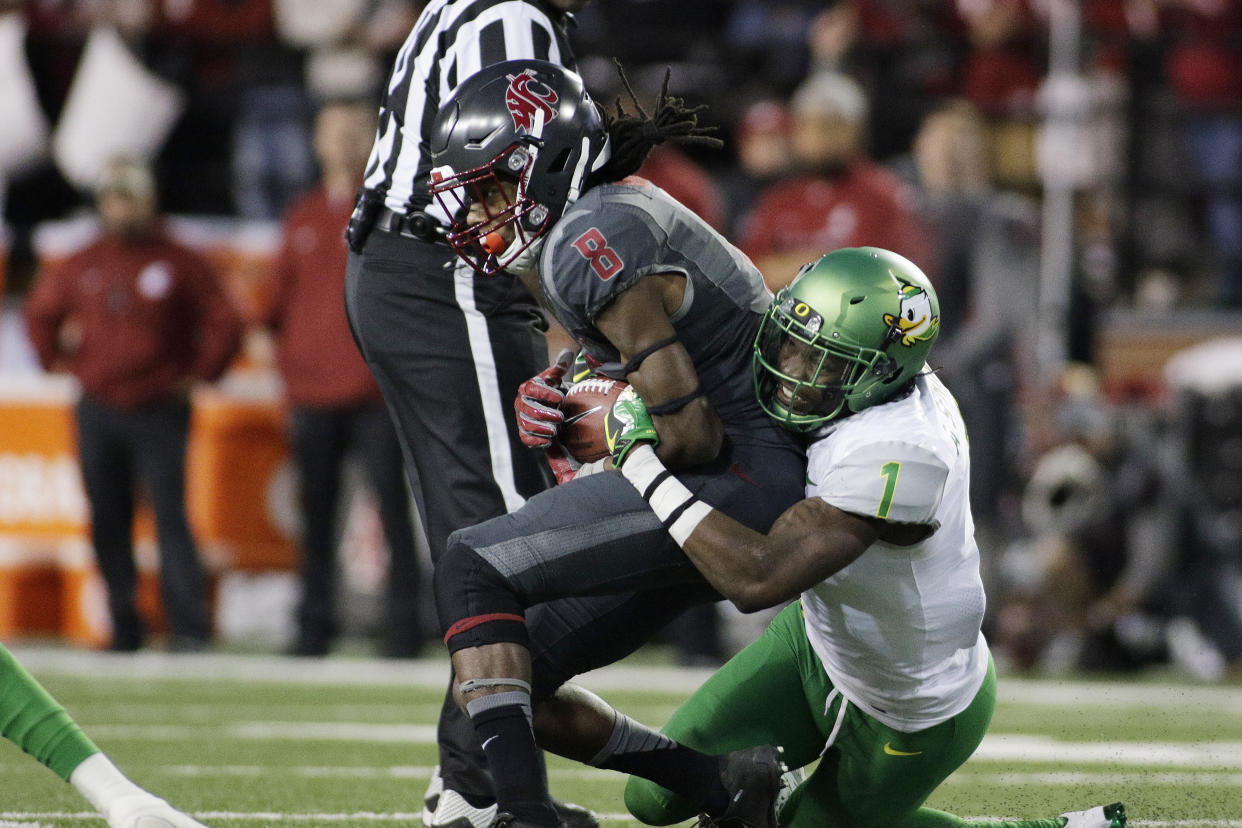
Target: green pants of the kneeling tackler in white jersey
{"type": "Point", "coordinates": [777, 692]}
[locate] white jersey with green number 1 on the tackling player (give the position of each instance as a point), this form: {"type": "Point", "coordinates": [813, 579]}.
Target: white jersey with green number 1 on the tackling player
{"type": "Point", "coordinates": [899, 631]}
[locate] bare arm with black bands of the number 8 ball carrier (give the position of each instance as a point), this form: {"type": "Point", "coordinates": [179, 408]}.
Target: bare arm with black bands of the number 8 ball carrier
{"type": "Point", "coordinates": [639, 320]}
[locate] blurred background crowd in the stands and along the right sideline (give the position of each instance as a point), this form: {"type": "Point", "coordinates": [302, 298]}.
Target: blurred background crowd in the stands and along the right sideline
{"type": "Point", "coordinates": [1113, 528]}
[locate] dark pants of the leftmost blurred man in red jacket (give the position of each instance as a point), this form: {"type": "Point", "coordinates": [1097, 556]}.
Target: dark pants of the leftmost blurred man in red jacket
{"type": "Point", "coordinates": [120, 449]}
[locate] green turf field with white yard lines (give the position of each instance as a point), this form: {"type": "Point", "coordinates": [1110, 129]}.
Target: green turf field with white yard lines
{"type": "Point", "coordinates": [245, 742]}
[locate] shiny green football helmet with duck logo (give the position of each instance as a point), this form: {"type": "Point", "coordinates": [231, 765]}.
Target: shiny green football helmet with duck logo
{"type": "Point", "coordinates": [850, 332]}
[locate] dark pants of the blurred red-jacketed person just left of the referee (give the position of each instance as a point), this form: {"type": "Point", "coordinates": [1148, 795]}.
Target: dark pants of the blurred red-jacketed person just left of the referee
{"type": "Point", "coordinates": [322, 436]}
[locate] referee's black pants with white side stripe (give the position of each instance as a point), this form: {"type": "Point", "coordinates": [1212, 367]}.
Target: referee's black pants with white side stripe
{"type": "Point", "coordinates": [449, 351]}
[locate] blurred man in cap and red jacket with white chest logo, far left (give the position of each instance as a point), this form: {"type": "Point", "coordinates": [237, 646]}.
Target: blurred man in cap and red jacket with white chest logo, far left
{"type": "Point", "coordinates": [138, 318]}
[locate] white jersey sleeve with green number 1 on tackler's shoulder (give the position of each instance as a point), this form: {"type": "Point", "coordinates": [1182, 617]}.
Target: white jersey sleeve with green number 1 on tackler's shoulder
{"type": "Point", "coordinates": [889, 480]}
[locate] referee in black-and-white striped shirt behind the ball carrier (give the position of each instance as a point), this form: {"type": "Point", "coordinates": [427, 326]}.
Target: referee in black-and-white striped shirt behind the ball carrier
{"type": "Point", "coordinates": [449, 349]}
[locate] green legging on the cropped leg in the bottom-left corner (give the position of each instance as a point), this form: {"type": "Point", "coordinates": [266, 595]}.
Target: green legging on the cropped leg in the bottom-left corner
{"type": "Point", "coordinates": [35, 722]}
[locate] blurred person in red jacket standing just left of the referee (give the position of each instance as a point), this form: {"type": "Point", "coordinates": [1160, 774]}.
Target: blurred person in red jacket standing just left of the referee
{"type": "Point", "coordinates": [335, 404]}
